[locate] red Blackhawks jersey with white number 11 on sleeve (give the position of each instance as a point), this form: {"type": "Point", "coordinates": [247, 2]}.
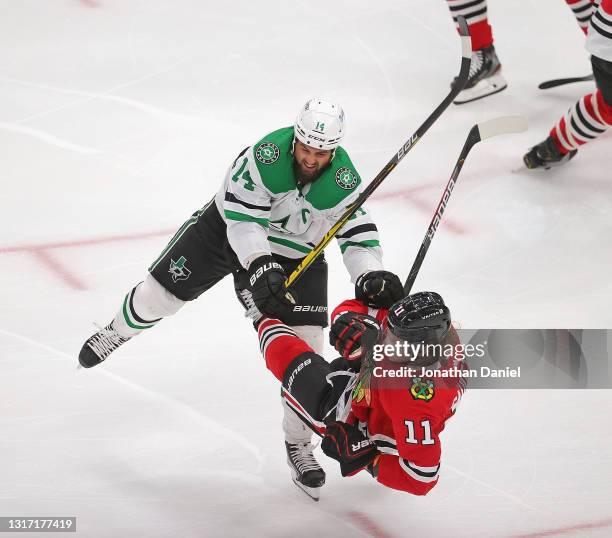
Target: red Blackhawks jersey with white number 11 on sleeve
{"type": "Point", "coordinates": [404, 416]}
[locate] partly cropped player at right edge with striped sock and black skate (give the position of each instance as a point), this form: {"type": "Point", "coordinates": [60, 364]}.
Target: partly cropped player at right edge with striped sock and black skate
{"type": "Point", "coordinates": [591, 116]}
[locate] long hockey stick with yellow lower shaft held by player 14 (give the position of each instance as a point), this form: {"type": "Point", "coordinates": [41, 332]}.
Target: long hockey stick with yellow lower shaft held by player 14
{"type": "Point", "coordinates": [466, 55]}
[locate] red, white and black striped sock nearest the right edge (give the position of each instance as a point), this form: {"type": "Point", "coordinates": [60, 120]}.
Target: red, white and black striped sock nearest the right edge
{"type": "Point", "coordinates": [586, 120]}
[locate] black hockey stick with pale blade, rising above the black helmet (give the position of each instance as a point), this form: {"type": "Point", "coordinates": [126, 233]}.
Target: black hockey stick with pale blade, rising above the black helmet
{"type": "Point", "coordinates": [480, 131]}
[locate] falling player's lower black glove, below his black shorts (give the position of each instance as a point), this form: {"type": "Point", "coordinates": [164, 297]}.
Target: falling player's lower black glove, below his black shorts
{"type": "Point", "coordinates": [348, 445]}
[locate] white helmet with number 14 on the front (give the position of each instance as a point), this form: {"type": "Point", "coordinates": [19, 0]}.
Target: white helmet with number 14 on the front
{"type": "Point", "coordinates": [320, 124]}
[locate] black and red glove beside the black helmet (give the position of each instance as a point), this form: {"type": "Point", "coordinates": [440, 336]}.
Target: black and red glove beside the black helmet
{"type": "Point", "coordinates": [353, 334]}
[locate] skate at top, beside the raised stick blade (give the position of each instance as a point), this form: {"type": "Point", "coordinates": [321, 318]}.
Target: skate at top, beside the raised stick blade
{"type": "Point", "coordinates": [485, 77]}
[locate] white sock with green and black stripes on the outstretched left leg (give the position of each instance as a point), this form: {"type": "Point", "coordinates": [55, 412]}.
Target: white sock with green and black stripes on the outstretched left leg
{"type": "Point", "coordinates": [144, 306]}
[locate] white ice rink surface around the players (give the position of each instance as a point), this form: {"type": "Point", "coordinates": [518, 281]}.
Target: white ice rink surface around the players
{"type": "Point", "coordinates": [118, 119]}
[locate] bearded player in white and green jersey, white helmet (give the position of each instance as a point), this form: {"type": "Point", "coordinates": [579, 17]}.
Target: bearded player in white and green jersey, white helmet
{"type": "Point", "coordinates": [278, 199]}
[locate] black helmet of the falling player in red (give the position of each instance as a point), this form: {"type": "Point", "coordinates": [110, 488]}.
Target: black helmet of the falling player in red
{"type": "Point", "coordinates": [420, 317]}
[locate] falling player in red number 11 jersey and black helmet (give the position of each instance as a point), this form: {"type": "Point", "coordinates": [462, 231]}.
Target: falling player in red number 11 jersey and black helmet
{"type": "Point", "coordinates": [375, 412]}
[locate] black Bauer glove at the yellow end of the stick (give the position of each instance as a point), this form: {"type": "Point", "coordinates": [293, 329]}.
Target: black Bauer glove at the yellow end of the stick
{"type": "Point", "coordinates": [267, 281]}
